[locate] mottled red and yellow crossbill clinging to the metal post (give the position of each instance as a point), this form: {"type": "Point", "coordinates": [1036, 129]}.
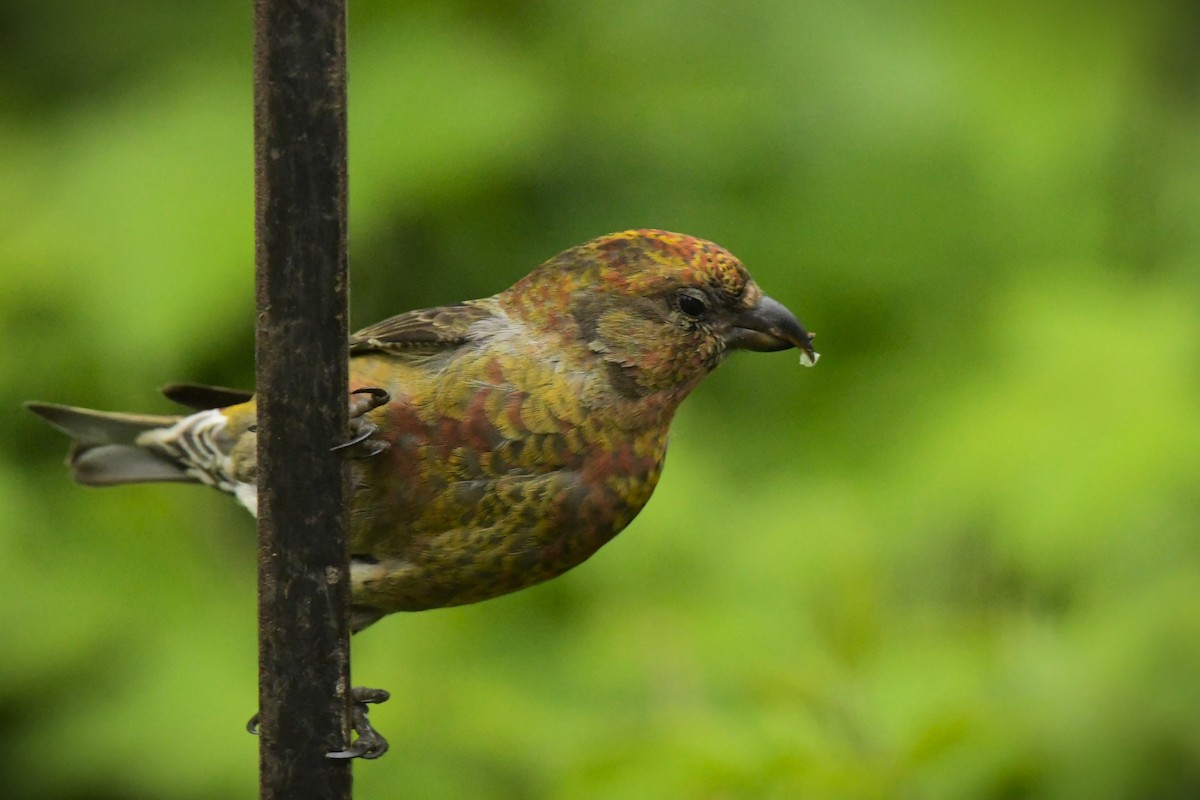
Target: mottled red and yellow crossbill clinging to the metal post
{"type": "Point", "coordinates": [502, 442]}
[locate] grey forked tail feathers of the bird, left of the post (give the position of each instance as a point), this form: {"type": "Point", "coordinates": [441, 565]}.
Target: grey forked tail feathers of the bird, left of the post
{"type": "Point", "coordinates": [105, 448]}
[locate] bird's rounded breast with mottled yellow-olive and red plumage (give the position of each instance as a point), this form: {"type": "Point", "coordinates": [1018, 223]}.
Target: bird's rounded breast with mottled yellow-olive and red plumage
{"type": "Point", "coordinates": [493, 486]}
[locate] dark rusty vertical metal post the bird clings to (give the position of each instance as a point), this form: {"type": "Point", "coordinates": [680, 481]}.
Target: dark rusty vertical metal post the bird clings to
{"type": "Point", "coordinates": [302, 356]}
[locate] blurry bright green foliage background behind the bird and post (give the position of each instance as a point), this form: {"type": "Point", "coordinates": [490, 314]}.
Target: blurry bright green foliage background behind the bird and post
{"type": "Point", "coordinates": [959, 560]}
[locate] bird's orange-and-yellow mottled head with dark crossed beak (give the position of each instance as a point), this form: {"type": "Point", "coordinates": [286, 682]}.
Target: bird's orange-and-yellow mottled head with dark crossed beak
{"type": "Point", "coordinates": [661, 310]}
